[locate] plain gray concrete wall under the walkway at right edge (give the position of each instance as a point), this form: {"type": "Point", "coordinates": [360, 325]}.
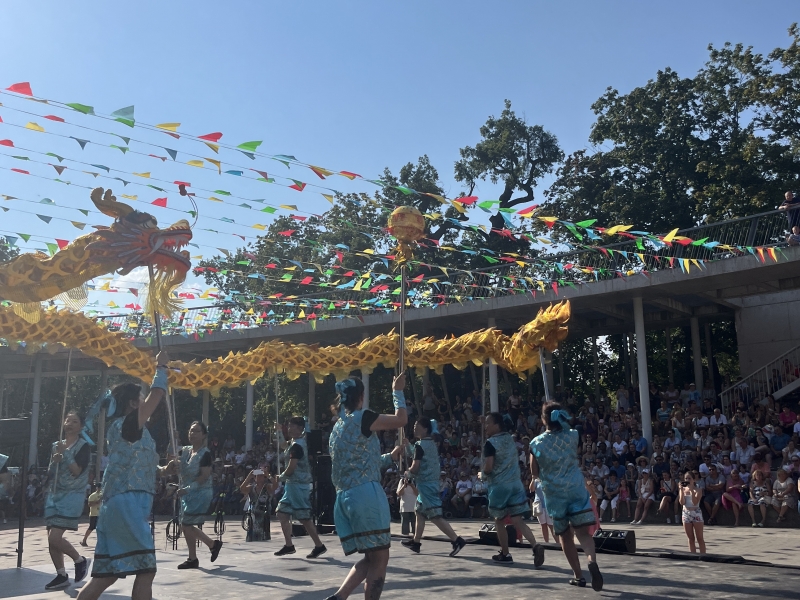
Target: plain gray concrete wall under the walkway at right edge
{"type": "Point", "coordinates": [767, 325]}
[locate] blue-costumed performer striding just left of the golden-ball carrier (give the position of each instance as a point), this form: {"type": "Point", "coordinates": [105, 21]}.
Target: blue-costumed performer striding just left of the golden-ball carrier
{"type": "Point", "coordinates": [296, 499]}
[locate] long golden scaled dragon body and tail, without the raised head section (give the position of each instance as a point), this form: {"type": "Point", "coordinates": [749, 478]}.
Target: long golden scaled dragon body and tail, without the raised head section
{"type": "Point", "coordinates": [517, 353]}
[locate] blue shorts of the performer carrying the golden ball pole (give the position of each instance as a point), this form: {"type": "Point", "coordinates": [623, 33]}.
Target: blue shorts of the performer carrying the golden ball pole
{"type": "Point", "coordinates": [362, 518]}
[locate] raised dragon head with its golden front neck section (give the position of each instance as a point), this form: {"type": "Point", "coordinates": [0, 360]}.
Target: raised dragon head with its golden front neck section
{"type": "Point", "coordinates": [133, 240]}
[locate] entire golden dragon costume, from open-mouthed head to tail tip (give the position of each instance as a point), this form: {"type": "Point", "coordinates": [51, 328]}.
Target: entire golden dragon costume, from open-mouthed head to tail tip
{"type": "Point", "coordinates": [134, 239]}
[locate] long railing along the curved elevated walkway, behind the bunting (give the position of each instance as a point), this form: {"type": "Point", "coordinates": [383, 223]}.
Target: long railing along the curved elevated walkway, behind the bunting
{"type": "Point", "coordinates": [733, 237]}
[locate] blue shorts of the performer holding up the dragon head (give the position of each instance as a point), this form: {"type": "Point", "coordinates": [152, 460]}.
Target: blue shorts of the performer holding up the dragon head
{"type": "Point", "coordinates": [124, 542]}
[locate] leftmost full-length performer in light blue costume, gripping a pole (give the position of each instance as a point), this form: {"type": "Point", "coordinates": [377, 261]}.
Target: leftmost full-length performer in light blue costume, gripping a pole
{"type": "Point", "coordinates": [68, 476]}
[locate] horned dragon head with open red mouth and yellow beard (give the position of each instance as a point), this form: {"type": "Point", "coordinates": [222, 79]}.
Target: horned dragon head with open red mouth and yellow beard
{"type": "Point", "coordinates": [135, 240]}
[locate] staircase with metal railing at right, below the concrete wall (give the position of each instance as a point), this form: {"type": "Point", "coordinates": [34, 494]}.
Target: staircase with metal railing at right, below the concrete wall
{"type": "Point", "coordinates": [779, 377]}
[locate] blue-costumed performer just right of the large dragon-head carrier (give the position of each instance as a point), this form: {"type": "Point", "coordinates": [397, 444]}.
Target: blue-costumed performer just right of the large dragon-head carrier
{"type": "Point", "coordinates": [196, 493]}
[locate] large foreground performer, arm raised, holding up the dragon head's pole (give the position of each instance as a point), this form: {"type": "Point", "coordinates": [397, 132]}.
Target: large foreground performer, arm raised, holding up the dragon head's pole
{"type": "Point", "coordinates": [124, 542]}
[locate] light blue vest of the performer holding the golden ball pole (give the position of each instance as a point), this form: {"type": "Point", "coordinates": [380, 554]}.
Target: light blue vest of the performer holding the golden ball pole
{"type": "Point", "coordinates": [355, 459]}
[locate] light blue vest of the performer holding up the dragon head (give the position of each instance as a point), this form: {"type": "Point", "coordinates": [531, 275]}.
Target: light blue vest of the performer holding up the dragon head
{"type": "Point", "coordinates": [131, 466]}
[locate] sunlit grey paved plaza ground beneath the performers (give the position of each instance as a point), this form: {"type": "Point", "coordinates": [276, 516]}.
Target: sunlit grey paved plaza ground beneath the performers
{"type": "Point", "coordinates": [249, 570]}
